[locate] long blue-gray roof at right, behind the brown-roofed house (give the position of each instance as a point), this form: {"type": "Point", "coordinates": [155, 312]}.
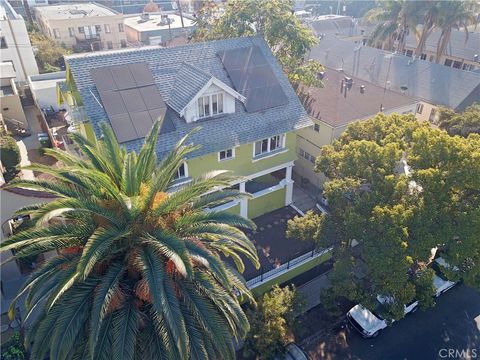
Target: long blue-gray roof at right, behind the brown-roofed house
{"type": "Point", "coordinates": [434, 83]}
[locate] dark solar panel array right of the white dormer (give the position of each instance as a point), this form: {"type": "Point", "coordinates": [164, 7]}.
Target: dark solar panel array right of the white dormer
{"type": "Point", "coordinates": [253, 77]}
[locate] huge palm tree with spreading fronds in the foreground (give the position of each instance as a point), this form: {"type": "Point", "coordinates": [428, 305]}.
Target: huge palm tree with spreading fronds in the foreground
{"type": "Point", "coordinates": [138, 273]}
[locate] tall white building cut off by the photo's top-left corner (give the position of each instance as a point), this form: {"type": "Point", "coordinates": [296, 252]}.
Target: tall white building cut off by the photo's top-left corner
{"type": "Point", "coordinates": [15, 44]}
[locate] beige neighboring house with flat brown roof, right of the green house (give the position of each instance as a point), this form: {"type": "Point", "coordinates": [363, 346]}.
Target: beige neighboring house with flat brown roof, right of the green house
{"type": "Point", "coordinates": [342, 101]}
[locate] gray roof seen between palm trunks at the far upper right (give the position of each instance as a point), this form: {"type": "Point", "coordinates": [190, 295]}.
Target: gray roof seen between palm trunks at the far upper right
{"type": "Point", "coordinates": [457, 46]}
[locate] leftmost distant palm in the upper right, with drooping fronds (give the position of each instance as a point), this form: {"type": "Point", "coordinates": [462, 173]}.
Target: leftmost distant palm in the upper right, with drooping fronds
{"type": "Point", "coordinates": [394, 19]}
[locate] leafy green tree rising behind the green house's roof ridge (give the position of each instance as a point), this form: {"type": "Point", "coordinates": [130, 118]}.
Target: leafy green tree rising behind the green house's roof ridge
{"type": "Point", "coordinates": [274, 20]}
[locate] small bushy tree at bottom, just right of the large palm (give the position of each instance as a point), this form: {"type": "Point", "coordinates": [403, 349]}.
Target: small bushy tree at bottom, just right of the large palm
{"type": "Point", "coordinates": [272, 322]}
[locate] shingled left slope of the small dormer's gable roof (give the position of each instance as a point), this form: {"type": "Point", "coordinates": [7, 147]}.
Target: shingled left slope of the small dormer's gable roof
{"type": "Point", "coordinates": [188, 82]}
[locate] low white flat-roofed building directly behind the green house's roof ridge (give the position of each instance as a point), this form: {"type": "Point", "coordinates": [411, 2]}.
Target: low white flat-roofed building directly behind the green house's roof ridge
{"type": "Point", "coordinates": [157, 28]}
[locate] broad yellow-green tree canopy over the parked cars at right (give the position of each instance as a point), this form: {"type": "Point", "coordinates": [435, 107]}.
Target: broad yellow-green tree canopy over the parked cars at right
{"type": "Point", "coordinates": [398, 189]}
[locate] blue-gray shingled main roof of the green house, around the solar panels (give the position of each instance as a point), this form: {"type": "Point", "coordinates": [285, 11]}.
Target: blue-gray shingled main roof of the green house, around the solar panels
{"type": "Point", "coordinates": [217, 133]}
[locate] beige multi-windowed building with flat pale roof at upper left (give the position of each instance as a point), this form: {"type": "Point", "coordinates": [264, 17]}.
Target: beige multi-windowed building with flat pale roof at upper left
{"type": "Point", "coordinates": [83, 27]}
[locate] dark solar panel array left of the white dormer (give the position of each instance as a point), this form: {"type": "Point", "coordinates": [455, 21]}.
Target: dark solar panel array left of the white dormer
{"type": "Point", "coordinates": [131, 99]}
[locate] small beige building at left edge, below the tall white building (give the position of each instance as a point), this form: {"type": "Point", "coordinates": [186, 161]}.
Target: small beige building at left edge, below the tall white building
{"type": "Point", "coordinates": [10, 104]}
